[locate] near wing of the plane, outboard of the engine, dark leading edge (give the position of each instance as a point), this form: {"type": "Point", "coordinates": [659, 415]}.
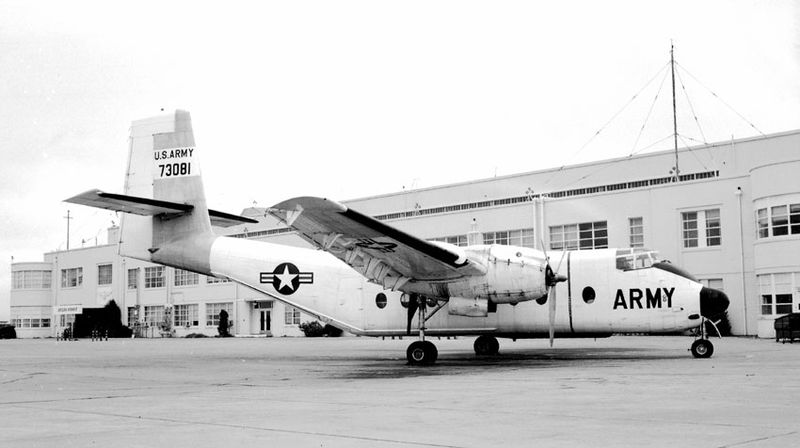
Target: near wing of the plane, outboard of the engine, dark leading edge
{"type": "Point", "coordinates": [380, 252]}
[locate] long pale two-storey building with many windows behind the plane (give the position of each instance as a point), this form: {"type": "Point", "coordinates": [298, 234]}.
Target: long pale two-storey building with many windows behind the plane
{"type": "Point", "coordinates": [732, 218]}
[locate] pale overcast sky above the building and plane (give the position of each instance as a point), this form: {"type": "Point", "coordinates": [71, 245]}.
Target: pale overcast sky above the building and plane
{"type": "Point", "coordinates": [347, 99]}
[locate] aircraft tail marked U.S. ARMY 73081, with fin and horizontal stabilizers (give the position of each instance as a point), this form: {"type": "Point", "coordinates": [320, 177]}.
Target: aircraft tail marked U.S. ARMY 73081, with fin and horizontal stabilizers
{"type": "Point", "coordinates": [166, 219]}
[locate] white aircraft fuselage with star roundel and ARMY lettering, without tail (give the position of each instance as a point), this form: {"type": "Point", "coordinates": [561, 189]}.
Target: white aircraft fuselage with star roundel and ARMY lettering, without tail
{"type": "Point", "coordinates": [598, 297]}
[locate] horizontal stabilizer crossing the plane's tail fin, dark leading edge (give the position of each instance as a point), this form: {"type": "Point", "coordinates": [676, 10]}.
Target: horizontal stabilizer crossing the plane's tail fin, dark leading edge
{"type": "Point", "coordinates": [150, 207]}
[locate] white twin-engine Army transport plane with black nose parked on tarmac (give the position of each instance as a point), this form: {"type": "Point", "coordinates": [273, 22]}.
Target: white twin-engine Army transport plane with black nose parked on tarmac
{"type": "Point", "coordinates": [372, 279]}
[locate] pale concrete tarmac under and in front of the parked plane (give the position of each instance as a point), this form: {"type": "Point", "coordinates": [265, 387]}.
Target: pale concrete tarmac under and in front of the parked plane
{"type": "Point", "coordinates": [359, 392]}
